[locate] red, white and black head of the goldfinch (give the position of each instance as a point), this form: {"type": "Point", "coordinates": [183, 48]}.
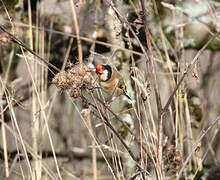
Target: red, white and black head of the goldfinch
{"type": "Point", "coordinates": [104, 71]}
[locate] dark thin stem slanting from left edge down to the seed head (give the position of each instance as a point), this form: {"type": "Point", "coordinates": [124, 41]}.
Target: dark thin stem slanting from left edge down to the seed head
{"type": "Point", "coordinates": [17, 41]}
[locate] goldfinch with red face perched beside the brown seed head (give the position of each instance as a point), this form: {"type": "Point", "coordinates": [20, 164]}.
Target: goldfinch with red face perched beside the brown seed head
{"type": "Point", "coordinates": [111, 81]}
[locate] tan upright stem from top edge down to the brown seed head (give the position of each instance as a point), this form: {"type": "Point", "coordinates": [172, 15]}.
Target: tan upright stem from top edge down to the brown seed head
{"type": "Point", "coordinates": [76, 25]}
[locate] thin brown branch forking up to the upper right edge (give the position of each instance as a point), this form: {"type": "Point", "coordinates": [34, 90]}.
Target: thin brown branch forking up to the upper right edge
{"type": "Point", "coordinates": [188, 68]}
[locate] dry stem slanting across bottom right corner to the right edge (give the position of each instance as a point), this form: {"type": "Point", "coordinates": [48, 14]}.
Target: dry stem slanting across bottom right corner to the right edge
{"type": "Point", "coordinates": [203, 134]}
